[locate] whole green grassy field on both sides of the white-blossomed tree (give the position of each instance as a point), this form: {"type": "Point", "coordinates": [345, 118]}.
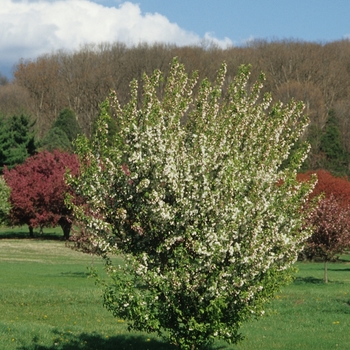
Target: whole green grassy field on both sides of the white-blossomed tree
{"type": "Point", "coordinates": [47, 301]}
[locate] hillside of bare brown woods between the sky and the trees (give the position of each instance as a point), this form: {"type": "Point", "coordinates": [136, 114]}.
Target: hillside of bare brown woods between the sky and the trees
{"type": "Point", "coordinates": [318, 74]}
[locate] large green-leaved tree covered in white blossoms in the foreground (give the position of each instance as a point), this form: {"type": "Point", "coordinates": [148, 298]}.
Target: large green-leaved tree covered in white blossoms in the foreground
{"type": "Point", "coordinates": [191, 193]}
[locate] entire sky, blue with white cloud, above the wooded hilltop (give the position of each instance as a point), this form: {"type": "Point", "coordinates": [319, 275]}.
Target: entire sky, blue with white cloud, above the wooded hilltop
{"type": "Point", "coordinates": [30, 28]}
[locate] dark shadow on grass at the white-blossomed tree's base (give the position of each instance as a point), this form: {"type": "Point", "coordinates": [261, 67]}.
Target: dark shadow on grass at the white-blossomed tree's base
{"type": "Point", "coordinates": [98, 342]}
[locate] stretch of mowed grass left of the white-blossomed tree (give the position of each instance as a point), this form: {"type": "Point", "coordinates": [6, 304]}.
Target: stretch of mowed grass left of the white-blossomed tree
{"type": "Point", "coordinates": [48, 301]}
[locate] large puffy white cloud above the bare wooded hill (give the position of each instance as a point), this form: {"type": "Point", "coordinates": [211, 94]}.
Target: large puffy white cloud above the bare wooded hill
{"type": "Point", "coordinates": [32, 27]}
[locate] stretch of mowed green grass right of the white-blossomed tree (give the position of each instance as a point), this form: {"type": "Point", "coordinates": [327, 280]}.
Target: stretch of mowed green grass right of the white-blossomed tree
{"type": "Point", "coordinates": [307, 314]}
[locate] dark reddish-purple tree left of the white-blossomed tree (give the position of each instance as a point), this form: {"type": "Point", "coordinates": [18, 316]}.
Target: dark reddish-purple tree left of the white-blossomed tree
{"type": "Point", "coordinates": [38, 191]}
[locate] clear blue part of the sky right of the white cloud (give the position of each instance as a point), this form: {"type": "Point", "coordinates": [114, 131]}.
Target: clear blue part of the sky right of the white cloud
{"type": "Point", "coordinates": [239, 20]}
